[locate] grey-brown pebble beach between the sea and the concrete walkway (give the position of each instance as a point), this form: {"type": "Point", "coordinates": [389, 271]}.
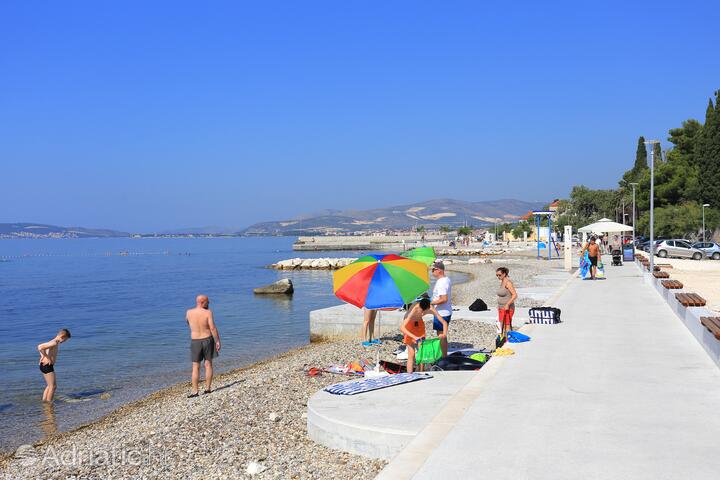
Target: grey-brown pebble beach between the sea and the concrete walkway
{"type": "Point", "coordinates": [255, 417]}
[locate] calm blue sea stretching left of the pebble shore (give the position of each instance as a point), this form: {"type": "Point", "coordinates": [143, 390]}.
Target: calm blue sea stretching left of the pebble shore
{"type": "Point", "coordinates": [124, 301]}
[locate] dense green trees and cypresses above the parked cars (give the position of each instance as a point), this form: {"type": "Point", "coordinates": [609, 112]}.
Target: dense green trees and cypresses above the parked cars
{"type": "Point", "coordinates": [687, 177]}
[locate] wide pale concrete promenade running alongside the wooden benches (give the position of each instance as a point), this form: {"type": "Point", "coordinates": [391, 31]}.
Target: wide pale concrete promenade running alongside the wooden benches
{"type": "Point", "coordinates": [619, 390]}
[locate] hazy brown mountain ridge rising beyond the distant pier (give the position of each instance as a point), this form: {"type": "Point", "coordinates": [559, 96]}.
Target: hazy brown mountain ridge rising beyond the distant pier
{"type": "Point", "coordinates": [431, 214]}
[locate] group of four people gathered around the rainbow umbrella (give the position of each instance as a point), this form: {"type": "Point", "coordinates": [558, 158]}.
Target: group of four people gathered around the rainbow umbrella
{"type": "Point", "coordinates": [439, 305]}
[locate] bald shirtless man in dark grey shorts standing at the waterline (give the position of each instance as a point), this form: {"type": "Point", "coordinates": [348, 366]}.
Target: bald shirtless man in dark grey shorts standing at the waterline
{"type": "Point", "coordinates": [204, 342]}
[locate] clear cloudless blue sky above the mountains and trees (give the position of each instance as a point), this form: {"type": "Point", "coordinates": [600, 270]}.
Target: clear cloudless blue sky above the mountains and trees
{"type": "Point", "coordinates": [154, 115]}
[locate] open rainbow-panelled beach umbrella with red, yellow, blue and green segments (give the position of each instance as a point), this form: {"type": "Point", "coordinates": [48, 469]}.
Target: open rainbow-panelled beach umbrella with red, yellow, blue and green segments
{"type": "Point", "coordinates": [381, 281]}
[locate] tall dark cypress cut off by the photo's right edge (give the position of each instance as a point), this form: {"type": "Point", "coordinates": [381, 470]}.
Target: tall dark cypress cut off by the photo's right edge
{"type": "Point", "coordinates": [708, 154]}
